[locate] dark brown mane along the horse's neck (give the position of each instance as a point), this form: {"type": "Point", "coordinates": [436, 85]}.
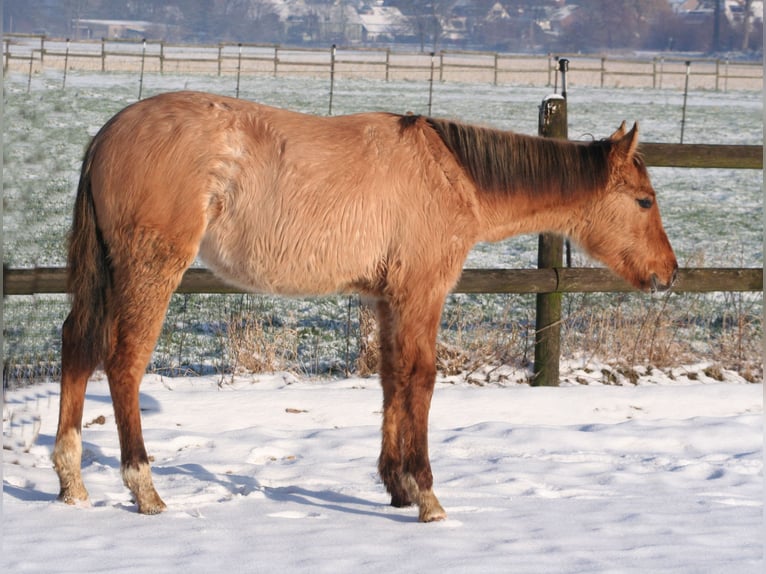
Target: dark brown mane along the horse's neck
{"type": "Point", "coordinates": [504, 161]}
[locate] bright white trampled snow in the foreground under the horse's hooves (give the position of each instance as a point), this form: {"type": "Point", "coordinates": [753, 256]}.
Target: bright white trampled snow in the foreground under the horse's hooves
{"type": "Point", "coordinates": [274, 473]}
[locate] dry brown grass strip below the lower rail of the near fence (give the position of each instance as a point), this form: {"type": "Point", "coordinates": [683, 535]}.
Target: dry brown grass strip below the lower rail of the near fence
{"type": "Point", "coordinates": [626, 332]}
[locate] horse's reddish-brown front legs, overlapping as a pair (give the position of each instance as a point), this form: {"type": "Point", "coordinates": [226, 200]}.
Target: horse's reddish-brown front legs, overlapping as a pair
{"type": "Point", "coordinates": [408, 388]}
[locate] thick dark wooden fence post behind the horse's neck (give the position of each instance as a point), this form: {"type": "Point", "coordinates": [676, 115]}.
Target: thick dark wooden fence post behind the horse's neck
{"type": "Point", "coordinates": [552, 123]}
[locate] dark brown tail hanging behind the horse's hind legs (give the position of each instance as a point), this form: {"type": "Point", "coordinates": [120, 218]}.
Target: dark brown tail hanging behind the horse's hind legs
{"type": "Point", "coordinates": [89, 275]}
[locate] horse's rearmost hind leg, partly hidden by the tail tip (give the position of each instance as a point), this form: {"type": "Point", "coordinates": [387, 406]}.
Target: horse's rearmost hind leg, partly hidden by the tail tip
{"type": "Point", "coordinates": [76, 367]}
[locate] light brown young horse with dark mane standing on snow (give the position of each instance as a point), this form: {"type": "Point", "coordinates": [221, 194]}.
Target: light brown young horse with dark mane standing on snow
{"type": "Point", "coordinates": [276, 201]}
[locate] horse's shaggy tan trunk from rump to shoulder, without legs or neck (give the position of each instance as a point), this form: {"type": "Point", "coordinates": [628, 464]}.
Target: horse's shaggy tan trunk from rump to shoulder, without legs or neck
{"type": "Point", "coordinates": [275, 200]}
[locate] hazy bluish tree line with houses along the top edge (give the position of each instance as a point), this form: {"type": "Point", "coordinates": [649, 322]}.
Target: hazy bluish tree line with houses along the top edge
{"type": "Point", "coordinates": [517, 26]}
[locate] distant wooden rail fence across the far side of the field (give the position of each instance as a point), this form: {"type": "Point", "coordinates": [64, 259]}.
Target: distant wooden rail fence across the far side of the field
{"type": "Point", "coordinates": [35, 53]}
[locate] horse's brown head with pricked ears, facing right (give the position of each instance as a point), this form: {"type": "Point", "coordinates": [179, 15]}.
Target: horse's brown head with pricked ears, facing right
{"type": "Point", "coordinates": [622, 227]}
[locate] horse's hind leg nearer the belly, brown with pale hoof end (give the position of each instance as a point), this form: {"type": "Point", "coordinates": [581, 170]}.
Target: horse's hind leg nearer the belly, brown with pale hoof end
{"type": "Point", "coordinates": [142, 292]}
